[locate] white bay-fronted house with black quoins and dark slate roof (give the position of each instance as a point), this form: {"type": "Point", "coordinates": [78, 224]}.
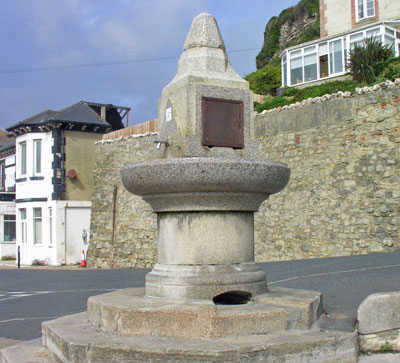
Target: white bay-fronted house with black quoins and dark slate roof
{"type": "Point", "coordinates": [54, 179]}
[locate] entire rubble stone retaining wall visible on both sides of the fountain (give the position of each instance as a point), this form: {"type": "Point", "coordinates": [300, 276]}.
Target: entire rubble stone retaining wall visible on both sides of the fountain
{"type": "Point", "coordinates": [343, 197]}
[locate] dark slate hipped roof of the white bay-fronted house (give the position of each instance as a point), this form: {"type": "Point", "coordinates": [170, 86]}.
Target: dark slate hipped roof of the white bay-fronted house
{"type": "Point", "coordinates": [78, 113]}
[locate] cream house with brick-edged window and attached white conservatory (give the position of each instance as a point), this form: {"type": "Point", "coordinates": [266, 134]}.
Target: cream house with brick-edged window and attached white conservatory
{"type": "Point", "coordinates": [344, 24]}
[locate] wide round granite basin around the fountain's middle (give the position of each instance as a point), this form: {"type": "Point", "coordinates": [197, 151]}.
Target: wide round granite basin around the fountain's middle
{"type": "Point", "coordinates": [204, 184]}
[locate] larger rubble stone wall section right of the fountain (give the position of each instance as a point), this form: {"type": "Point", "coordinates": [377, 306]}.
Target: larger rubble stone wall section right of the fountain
{"type": "Point", "coordinates": [344, 194]}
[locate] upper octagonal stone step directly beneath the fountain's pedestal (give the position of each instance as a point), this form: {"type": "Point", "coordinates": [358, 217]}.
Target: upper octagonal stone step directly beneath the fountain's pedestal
{"type": "Point", "coordinates": [128, 312]}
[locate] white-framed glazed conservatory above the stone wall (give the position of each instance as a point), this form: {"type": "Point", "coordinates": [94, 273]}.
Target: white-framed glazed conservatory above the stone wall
{"type": "Point", "coordinates": [326, 58]}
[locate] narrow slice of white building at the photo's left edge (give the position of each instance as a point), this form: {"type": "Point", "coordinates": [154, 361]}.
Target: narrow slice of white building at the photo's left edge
{"type": "Point", "coordinates": [7, 196]}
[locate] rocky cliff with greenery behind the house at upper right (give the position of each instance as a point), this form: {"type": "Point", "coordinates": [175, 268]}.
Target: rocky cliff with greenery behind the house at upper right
{"type": "Point", "coordinates": [295, 25]}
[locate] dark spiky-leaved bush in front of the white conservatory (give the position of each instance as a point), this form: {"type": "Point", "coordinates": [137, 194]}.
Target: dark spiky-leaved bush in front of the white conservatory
{"type": "Point", "coordinates": [365, 61]}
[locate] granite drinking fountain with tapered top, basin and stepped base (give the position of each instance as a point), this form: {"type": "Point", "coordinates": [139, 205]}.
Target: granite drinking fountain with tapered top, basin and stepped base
{"type": "Point", "coordinates": [205, 300]}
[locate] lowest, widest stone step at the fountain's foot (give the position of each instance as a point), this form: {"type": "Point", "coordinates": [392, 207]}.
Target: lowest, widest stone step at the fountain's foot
{"type": "Point", "coordinates": [73, 339]}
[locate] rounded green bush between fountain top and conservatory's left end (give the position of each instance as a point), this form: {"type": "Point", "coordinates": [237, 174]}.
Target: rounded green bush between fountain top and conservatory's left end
{"type": "Point", "coordinates": [266, 80]}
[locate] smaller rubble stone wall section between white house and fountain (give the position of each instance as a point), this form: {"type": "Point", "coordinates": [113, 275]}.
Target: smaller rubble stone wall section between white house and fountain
{"type": "Point", "coordinates": [123, 228]}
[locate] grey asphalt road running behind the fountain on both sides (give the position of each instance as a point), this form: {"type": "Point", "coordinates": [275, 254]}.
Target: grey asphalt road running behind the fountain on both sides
{"type": "Point", "coordinates": [30, 296]}
